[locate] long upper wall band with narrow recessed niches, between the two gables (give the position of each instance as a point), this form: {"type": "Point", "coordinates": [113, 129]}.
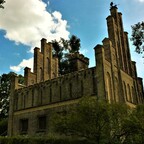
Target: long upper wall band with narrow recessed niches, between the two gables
{"type": "Point", "coordinates": [70, 86]}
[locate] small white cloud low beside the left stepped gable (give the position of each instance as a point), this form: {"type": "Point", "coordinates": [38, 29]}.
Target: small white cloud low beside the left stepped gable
{"type": "Point", "coordinates": [24, 63]}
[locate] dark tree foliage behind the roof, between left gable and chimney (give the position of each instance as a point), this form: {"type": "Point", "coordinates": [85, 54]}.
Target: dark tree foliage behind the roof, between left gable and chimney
{"type": "Point", "coordinates": [62, 50]}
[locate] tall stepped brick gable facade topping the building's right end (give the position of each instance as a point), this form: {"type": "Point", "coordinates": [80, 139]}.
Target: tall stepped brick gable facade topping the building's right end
{"type": "Point", "coordinates": [117, 79]}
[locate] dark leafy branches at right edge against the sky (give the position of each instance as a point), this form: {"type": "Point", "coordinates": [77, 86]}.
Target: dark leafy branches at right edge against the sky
{"type": "Point", "coordinates": [138, 36]}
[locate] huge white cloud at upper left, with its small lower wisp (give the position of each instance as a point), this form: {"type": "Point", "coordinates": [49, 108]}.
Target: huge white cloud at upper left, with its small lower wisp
{"type": "Point", "coordinates": [28, 22]}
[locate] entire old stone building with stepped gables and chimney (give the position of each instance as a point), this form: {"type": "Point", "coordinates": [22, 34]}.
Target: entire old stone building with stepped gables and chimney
{"type": "Point", "coordinates": [114, 78]}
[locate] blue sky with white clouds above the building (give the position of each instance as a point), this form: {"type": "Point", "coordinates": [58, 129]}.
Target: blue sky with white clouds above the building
{"type": "Point", "coordinates": [24, 23]}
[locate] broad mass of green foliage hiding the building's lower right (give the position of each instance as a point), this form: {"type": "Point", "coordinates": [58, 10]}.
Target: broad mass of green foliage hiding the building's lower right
{"type": "Point", "coordinates": [101, 122]}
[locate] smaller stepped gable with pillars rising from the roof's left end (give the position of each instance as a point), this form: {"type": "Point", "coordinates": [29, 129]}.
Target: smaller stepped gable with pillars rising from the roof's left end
{"type": "Point", "coordinates": [45, 65]}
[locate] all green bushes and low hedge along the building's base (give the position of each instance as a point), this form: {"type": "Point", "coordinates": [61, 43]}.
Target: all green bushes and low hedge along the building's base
{"type": "Point", "coordinates": [91, 122]}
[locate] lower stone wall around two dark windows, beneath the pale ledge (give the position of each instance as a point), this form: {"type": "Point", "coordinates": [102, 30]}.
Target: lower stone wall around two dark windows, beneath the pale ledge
{"type": "Point", "coordinates": [34, 113]}
